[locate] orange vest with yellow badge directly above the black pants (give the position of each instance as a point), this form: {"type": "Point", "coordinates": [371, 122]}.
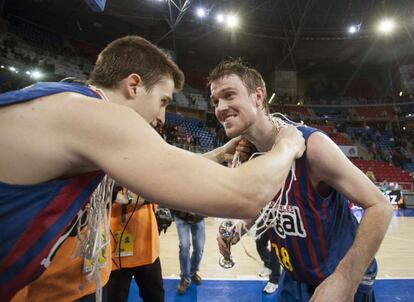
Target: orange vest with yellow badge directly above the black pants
{"type": "Point", "coordinates": [144, 231]}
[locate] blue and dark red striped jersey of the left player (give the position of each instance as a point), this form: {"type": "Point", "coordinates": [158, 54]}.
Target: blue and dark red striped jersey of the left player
{"type": "Point", "coordinates": [33, 217]}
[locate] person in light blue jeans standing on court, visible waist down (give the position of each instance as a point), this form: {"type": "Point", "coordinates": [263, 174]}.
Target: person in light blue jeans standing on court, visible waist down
{"type": "Point", "coordinates": [189, 223]}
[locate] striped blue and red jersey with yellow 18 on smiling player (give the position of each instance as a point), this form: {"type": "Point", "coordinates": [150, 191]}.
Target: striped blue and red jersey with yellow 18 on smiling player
{"type": "Point", "coordinates": [313, 233]}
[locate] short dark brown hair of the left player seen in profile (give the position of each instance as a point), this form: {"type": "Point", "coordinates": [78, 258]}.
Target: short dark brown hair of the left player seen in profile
{"type": "Point", "coordinates": [134, 54]}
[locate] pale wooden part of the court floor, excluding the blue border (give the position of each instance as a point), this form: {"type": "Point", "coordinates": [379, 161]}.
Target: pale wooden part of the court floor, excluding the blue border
{"type": "Point", "coordinates": [395, 257]}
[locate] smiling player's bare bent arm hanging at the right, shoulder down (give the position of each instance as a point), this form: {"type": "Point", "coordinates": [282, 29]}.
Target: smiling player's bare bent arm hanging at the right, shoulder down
{"type": "Point", "coordinates": [330, 165]}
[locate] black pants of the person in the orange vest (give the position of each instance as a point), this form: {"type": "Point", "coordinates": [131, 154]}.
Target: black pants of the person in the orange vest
{"type": "Point", "coordinates": [148, 278]}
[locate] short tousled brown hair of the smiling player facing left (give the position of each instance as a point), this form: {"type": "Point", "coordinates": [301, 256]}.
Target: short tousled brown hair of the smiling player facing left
{"type": "Point", "coordinates": [250, 77]}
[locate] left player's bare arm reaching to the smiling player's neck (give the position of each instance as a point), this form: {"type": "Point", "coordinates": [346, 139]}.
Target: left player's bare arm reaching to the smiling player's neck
{"type": "Point", "coordinates": [121, 143]}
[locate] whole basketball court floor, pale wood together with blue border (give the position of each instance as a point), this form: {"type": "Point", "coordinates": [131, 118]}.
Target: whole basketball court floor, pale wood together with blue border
{"type": "Point", "coordinates": [242, 283]}
